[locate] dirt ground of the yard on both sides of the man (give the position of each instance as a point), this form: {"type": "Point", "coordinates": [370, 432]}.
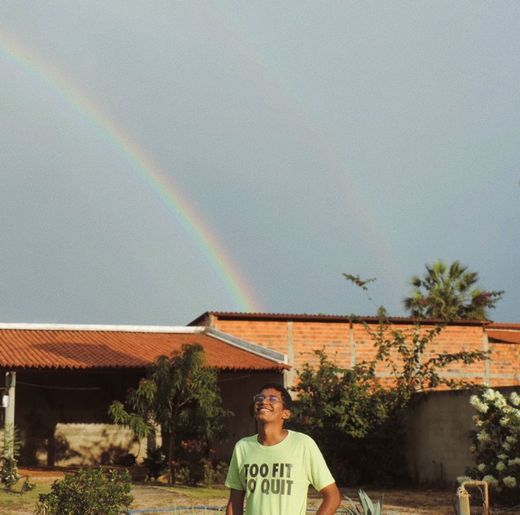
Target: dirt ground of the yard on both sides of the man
{"type": "Point", "coordinates": [151, 495]}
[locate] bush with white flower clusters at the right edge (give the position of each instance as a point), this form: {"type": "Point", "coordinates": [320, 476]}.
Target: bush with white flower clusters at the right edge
{"type": "Point", "coordinates": [496, 443]}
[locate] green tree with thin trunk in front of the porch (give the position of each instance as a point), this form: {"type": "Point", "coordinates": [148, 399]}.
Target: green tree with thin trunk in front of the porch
{"type": "Point", "coordinates": [181, 395]}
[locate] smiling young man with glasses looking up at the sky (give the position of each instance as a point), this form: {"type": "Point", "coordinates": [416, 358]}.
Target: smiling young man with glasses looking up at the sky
{"type": "Point", "coordinates": [273, 469]}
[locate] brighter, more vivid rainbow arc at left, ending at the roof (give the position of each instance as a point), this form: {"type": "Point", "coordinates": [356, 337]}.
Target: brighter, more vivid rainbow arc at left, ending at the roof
{"type": "Point", "coordinates": [156, 179]}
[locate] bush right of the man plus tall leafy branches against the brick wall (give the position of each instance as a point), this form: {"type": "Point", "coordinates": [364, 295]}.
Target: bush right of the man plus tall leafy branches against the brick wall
{"type": "Point", "coordinates": [358, 421]}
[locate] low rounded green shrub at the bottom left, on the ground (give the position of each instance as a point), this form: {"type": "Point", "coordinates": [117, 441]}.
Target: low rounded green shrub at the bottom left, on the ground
{"type": "Point", "coordinates": [88, 492]}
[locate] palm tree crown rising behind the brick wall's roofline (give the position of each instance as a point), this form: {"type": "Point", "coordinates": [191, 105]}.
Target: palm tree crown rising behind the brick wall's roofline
{"type": "Point", "coordinates": [448, 293]}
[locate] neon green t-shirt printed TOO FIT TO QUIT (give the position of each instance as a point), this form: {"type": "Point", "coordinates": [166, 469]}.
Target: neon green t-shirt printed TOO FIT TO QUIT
{"type": "Point", "coordinates": [276, 478]}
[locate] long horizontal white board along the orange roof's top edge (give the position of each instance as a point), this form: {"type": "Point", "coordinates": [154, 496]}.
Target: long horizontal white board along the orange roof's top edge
{"type": "Point", "coordinates": [109, 328]}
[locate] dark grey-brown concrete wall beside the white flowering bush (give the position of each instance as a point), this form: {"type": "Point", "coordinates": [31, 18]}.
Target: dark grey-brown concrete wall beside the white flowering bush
{"type": "Point", "coordinates": [438, 440]}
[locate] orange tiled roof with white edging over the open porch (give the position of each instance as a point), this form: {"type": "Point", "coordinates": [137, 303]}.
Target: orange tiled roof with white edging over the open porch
{"type": "Point", "coordinates": [82, 347]}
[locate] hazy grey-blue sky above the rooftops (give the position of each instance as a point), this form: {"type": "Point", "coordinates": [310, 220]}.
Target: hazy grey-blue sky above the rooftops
{"type": "Point", "coordinates": [310, 138]}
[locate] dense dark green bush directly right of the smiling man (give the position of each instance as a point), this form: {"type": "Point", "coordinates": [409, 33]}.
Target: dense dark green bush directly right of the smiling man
{"type": "Point", "coordinates": [355, 422]}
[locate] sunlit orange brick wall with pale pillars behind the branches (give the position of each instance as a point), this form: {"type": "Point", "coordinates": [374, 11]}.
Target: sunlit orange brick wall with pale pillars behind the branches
{"type": "Point", "coordinates": [349, 343]}
